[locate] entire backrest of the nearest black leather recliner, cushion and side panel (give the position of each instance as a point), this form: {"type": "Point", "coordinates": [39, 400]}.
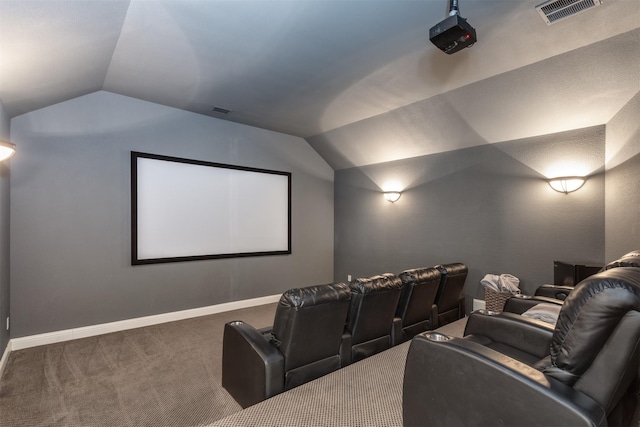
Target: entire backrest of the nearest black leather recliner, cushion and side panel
{"type": "Point", "coordinates": [596, 343]}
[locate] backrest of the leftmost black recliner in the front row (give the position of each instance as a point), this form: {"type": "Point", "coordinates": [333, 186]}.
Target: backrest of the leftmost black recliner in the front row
{"type": "Point", "coordinates": [308, 328]}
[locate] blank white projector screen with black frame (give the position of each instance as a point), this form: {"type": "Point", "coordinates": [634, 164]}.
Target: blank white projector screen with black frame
{"type": "Point", "coordinates": [187, 210]}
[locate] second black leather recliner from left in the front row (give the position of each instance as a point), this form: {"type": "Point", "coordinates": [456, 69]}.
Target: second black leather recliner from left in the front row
{"type": "Point", "coordinates": [370, 322]}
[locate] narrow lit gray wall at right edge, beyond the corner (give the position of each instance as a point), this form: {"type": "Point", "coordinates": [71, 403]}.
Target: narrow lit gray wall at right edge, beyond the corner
{"type": "Point", "coordinates": [623, 181]}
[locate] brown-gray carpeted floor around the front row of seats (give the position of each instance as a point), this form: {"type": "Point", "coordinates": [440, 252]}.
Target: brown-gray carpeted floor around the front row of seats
{"type": "Point", "coordinates": [170, 375]}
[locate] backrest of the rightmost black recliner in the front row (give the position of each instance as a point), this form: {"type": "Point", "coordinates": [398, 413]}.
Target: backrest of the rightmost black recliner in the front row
{"type": "Point", "coordinates": [450, 296]}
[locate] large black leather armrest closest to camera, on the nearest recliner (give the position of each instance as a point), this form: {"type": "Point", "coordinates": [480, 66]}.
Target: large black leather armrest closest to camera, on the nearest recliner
{"type": "Point", "coordinates": [466, 383]}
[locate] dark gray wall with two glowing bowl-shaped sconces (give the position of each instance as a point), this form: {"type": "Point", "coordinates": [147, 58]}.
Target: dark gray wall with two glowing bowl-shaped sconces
{"type": "Point", "coordinates": [489, 207]}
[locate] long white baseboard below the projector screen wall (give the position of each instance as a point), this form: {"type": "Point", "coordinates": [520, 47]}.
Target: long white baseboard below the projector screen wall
{"type": "Point", "coordinates": [123, 325]}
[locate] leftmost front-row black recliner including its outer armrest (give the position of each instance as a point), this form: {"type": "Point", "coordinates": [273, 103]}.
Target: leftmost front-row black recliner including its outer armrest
{"type": "Point", "coordinates": [303, 344]}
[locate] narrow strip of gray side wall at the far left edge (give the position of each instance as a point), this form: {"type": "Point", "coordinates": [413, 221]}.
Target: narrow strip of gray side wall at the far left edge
{"type": "Point", "coordinates": [4, 234]}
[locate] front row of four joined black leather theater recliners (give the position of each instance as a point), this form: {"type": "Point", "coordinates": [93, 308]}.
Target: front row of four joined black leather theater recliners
{"type": "Point", "coordinates": [319, 329]}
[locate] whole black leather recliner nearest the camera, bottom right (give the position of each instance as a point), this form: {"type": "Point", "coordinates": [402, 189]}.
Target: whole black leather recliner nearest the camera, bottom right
{"type": "Point", "coordinates": [509, 370]}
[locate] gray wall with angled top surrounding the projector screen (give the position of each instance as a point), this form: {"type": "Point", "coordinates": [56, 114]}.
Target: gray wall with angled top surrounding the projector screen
{"type": "Point", "coordinates": [70, 214]}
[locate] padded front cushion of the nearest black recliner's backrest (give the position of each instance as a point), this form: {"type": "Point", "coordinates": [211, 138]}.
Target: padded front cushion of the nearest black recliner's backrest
{"type": "Point", "coordinates": [588, 317]}
